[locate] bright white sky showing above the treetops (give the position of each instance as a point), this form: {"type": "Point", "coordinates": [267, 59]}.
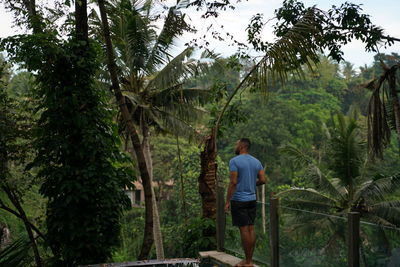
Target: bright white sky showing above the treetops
{"type": "Point", "coordinates": [384, 13]}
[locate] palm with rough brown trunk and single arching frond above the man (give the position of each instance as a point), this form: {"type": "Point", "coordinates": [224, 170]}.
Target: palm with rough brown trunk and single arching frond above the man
{"type": "Point", "coordinates": [283, 58]}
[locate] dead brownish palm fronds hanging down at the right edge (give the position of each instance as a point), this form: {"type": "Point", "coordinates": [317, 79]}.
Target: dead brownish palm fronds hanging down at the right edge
{"type": "Point", "coordinates": [383, 111]}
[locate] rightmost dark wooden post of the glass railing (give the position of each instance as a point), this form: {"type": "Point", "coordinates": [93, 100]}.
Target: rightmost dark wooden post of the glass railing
{"type": "Point", "coordinates": [354, 239]}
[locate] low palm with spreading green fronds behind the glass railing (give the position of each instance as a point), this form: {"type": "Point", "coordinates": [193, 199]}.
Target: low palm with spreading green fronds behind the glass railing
{"type": "Point", "coordinates": [340, 183]}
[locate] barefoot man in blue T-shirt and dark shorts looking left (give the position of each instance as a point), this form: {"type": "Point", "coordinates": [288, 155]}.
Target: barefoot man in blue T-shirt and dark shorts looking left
{"type": "Point", "coordinates": [246, 172]}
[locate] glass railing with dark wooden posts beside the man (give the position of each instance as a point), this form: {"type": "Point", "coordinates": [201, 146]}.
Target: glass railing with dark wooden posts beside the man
{"type": "Point", "coordinates": [276, 242]}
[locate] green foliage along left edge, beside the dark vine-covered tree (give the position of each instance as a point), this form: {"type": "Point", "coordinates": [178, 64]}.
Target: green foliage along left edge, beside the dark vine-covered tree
{"type": "Point", "coordinates": [16, 183]}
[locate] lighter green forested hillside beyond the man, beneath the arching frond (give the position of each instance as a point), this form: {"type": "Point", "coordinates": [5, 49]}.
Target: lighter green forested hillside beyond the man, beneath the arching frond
{"type": "Point", "coordinates": [297, 114]}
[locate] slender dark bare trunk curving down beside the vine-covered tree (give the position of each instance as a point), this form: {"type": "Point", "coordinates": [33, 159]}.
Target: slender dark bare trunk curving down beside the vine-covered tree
{"type": "Point", "coordinates": [133, 134]}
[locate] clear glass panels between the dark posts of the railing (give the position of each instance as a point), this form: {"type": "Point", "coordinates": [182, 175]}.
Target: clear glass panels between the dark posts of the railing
{"type": "Point", "coordinates": [310, 238]}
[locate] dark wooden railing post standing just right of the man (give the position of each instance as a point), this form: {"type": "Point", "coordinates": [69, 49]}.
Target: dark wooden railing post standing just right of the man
{"type": "Point", "coordinates": [274, 230]}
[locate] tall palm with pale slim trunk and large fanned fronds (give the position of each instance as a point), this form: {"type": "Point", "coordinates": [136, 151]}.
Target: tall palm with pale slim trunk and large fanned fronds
{"type": "Point", "coordinates": [155, 87]}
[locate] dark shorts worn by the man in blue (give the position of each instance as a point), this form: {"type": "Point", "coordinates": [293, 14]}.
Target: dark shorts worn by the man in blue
{"type": "Point", "coordinates": [243, 213]}
